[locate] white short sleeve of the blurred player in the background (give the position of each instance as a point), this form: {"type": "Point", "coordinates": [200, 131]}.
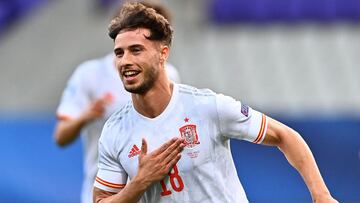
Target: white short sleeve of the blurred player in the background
{"type": "Point", "coordinates": [75, 96]}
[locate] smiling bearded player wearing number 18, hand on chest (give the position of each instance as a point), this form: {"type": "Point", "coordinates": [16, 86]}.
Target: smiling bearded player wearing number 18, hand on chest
{"type": "Point", "coordinates": [172, 140]}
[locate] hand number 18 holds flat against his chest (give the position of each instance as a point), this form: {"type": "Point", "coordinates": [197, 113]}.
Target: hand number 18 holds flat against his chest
{"type": "Point", "coordinates": [156, 165]}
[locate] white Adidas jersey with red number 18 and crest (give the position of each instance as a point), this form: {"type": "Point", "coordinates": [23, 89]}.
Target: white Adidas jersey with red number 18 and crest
{"type": "Point", "coordinates": [206, 171]}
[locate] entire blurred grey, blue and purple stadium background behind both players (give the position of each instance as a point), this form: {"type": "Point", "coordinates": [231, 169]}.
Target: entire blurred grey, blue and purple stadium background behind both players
{"type": "Point", "coordinates": [294, 60]}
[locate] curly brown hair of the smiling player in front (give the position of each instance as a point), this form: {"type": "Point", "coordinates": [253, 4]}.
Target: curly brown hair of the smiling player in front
{"type": "Point", "coordinates": [137, 15]}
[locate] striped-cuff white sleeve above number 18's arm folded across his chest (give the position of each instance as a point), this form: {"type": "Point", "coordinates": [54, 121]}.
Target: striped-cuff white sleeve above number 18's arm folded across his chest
{"type": "Point", "coordinates": [111, 176]}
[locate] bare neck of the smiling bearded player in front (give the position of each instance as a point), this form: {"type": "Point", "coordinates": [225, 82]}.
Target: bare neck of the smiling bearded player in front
{"type": "Point", "coordinates": [152, 103]}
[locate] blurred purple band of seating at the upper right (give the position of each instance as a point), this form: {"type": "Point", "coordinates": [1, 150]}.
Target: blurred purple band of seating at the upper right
{"type": "Point", "coordinates": [229, 11]}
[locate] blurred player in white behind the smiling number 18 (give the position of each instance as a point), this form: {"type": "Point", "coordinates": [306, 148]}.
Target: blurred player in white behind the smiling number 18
{"type": "Point", "coordinates": [93, 93]}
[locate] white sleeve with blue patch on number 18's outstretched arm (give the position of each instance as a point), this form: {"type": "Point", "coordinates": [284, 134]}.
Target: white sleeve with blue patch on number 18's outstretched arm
{"type": "Point", "coordinates": [239, 121]}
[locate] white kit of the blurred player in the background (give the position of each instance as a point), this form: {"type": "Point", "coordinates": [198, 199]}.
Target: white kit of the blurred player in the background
{"type": "Point", "coordinates": [93, 80]}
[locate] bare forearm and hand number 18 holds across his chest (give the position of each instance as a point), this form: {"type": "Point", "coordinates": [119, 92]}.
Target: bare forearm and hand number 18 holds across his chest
{"type": "Point", "coordinates": [153, 167]}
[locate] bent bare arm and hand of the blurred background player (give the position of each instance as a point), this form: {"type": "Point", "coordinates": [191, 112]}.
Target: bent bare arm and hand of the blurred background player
{"type": "Point", "coordinates": [68, 129]}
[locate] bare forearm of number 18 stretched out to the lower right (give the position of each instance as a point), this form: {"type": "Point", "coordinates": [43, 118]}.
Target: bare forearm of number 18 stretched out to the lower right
{"type": "Point", "coordinates": [300, 157]}
